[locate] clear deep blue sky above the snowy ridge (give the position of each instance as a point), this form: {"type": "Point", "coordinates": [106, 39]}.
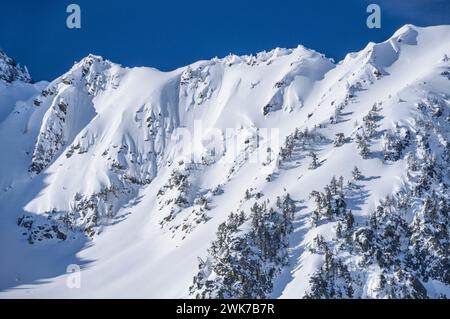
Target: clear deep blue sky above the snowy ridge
{"type": "Point", "coordinates": [167, 34]}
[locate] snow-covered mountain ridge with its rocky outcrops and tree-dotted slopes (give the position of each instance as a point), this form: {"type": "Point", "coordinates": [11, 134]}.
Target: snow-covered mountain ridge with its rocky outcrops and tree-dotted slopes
{"type": "Point", "coordinates": [280, 175]}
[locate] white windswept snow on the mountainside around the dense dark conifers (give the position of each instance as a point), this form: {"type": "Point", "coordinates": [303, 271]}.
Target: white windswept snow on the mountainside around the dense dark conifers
{"type": "Point", "coordinates": [98, 145]}
